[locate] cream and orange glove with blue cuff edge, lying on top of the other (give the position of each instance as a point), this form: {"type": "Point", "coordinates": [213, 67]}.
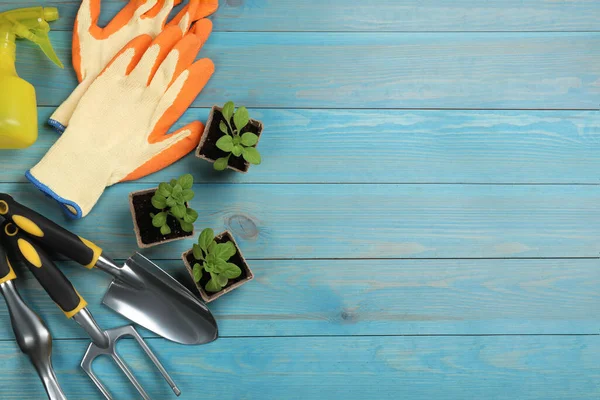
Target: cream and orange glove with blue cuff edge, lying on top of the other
{"type": "Point", "coordinates": [118, 131]}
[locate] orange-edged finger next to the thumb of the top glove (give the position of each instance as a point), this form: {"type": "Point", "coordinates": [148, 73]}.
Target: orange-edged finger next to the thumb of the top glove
{"type": "Point", "coordinates": [179, 97]}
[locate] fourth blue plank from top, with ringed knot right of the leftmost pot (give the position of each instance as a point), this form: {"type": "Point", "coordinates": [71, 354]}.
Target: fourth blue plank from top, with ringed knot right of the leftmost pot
{"type": "Point", "coordinates": [364, 221]}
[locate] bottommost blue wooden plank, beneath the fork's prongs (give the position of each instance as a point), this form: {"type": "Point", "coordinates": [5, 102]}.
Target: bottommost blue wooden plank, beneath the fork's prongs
{"type": "Point", "coordinates": [503, 368]}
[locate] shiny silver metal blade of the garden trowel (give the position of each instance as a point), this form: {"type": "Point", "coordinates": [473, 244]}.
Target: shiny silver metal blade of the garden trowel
{"type": "Point", "coordinates": [162, 305]}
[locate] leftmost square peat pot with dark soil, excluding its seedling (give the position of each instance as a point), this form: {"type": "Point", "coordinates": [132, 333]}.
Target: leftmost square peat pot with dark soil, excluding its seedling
{"type": "Point", "coordinates": [147, 235]}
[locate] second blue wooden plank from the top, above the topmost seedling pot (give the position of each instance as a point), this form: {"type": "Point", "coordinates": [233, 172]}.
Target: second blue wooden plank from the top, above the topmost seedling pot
{"type": "Point", "coordinates": [377, 70]}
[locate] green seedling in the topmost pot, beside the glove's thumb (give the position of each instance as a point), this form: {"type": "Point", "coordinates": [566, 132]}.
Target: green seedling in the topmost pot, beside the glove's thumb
{"type": "Point", "coordinates": [232, 142]}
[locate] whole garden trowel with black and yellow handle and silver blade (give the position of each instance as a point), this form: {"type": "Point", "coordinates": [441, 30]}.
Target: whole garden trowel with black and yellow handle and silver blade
{"type": "Point", "coordinates": [141, 291]}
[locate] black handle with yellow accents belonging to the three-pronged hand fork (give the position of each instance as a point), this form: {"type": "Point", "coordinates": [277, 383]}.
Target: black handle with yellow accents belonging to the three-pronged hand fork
{"type": "Point", "coordinates": [56, 284]}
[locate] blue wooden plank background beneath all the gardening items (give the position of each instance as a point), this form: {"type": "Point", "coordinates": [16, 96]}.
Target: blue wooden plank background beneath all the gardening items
{"type": "Point", "coordinates": [425, 224]}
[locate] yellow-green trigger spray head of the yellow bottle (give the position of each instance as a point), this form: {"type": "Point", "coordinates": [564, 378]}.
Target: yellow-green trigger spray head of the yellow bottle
{"type": "Point", "coordinates": [31, 24]}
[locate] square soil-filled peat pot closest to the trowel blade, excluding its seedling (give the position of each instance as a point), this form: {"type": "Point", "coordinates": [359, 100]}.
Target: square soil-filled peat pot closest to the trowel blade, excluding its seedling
{"type": "Point", "coordinates": [237, 259]}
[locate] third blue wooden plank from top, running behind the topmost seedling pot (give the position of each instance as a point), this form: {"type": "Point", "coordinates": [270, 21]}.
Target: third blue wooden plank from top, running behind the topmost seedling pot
{"type": "Point", "coordinates": [359, 146]}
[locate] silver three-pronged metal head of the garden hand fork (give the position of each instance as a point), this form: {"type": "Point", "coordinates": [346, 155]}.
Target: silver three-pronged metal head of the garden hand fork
{"type": "Point", "coordinates": [113, 335]}
